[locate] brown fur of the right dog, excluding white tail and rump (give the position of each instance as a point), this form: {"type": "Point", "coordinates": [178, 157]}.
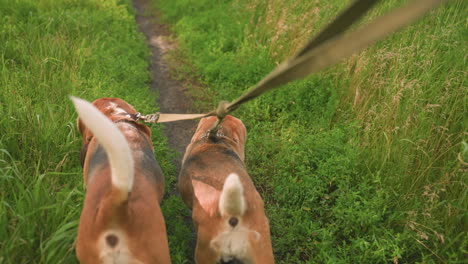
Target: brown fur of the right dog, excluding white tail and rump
{"type": "Point", "coordinates": [205, 166]}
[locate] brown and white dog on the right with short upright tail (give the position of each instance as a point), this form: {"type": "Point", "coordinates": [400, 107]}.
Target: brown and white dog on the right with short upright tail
{"type": "Point", "coordinates": [227, 210]}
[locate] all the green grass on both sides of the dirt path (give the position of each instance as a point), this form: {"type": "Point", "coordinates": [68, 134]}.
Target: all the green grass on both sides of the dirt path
{"type": "Point", "coordinates": [362, 163]}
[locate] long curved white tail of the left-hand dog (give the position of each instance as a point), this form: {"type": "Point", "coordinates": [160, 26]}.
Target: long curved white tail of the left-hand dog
{"type": "Point", "coordinates": [113, 142]}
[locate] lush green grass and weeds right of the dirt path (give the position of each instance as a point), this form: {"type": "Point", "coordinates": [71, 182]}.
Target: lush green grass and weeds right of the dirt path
{"type": "Point", "coordinates": [363, 163]}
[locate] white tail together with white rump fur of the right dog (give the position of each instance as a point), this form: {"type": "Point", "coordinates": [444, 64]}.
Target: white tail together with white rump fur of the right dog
{"type": "Point", "coordinates": [232, 244]}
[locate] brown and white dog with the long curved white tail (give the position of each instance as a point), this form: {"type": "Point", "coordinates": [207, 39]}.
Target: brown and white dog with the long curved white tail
{"type": "Point", "coordinates": [121, 221]}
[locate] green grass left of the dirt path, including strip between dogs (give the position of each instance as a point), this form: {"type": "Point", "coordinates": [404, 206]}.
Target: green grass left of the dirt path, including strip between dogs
{"type": "Point", "coordinates": [48, 50]}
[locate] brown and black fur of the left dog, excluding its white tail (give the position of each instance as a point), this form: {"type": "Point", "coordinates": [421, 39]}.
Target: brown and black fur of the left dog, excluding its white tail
{"type": "Point", "coordinates": [138, 220]}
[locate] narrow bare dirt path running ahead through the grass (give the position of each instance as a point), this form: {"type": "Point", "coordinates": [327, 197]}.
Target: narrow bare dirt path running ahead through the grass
{"type": "Point", "coordinates": [172, 98]}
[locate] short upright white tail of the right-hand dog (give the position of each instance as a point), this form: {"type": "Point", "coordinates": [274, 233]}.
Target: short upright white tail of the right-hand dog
{"type": "Point", "coordinates": [232, 202]}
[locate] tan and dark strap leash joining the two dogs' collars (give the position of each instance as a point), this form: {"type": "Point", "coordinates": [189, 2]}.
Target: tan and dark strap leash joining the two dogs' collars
{"type": "Point", "coordinates": [328, 47]}
